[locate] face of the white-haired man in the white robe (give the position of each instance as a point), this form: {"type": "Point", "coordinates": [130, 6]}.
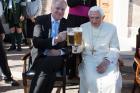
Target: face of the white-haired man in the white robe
{"type": "Point", "coordinates": [95, 18]}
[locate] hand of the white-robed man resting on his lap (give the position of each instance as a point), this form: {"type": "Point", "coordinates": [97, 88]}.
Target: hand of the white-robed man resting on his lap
{"type": "Point", "coordinates": [103, 66]}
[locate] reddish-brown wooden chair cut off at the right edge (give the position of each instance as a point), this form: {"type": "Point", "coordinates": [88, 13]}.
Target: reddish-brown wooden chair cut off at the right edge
{"type": "Point", "coordinates": [136, 64]}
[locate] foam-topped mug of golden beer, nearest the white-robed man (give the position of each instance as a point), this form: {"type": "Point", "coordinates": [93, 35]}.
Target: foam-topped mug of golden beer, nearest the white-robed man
{"type": "Point", "coordinates": [77, 36]}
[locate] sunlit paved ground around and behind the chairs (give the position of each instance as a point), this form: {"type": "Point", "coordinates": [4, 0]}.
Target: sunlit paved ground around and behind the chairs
{"type": "Point", "coordinates": [15, 63]}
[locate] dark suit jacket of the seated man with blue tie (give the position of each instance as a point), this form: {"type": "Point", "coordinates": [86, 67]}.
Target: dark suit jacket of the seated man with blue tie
{"type": "Point", "coordinates": [44, 41]}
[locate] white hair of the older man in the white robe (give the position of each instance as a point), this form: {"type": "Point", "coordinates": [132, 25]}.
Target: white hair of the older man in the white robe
{"type": "Point", "coordinates": [96, 9]}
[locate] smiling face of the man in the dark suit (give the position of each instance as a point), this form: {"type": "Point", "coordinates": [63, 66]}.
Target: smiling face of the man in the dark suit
{"type": "Point", "coordinates": [58, 10]}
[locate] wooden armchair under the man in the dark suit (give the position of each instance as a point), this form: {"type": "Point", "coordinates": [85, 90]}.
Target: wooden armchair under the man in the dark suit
{"type": "Point", "coordinates": [27, 75]}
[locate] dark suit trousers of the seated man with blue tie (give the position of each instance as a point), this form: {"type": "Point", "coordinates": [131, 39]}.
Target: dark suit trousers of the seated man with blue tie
{"type": "Point", "coordinates": [45, 73]}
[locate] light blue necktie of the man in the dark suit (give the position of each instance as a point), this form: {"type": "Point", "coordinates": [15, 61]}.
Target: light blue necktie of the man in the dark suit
{"type": "Point", "coordinates": [55, 26]}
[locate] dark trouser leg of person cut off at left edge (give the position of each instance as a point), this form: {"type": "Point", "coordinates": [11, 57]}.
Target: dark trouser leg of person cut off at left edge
{"type": "Point", "coordinates": [3, 62]}
